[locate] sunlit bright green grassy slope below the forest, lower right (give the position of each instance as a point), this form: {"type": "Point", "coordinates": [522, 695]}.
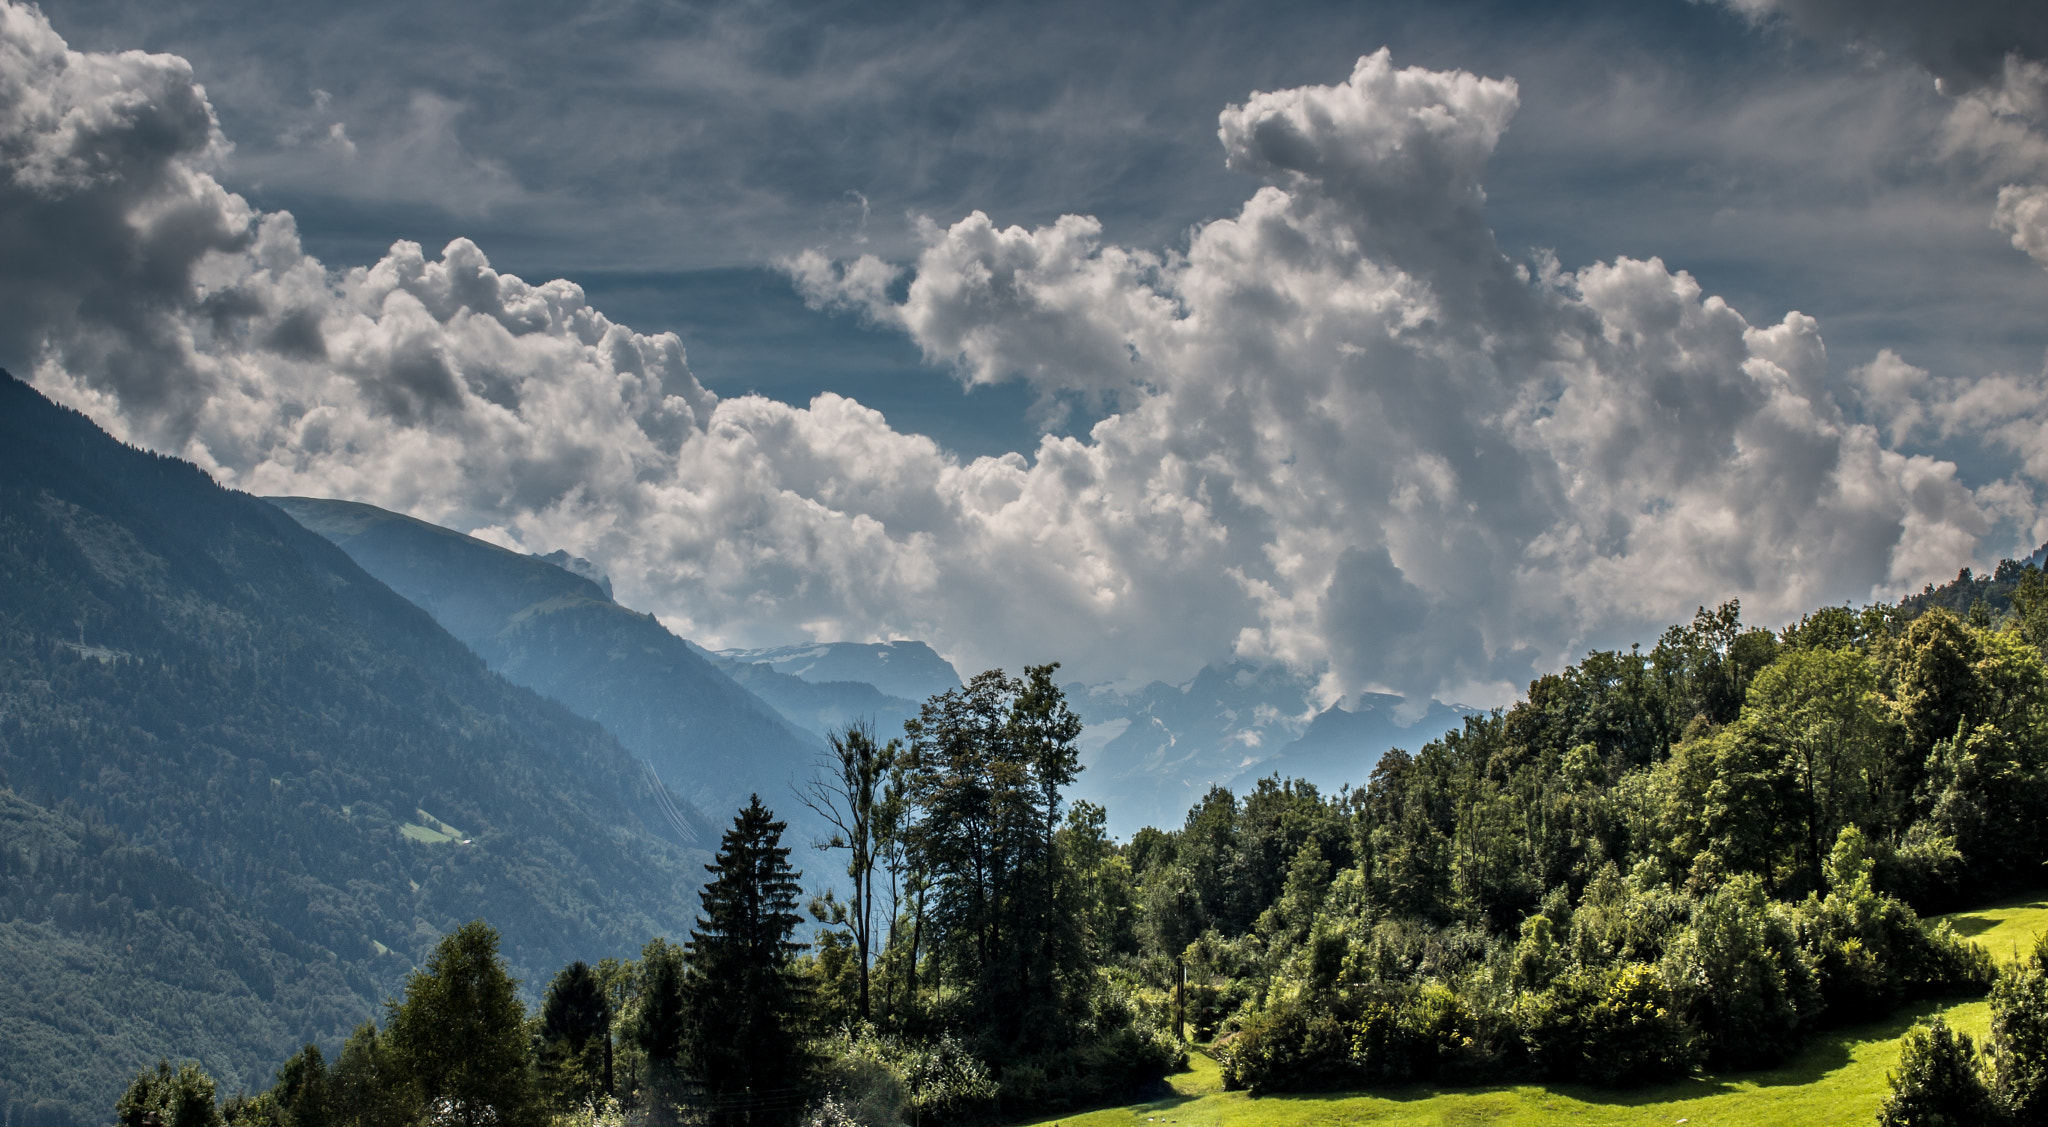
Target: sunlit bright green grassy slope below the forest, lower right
{"type": "Point", "coordinates": [1840, 1079]}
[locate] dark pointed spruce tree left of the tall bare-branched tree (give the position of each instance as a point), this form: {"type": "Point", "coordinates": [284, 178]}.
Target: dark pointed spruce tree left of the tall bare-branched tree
{"type": "Point", "coordinates": [744, 999]}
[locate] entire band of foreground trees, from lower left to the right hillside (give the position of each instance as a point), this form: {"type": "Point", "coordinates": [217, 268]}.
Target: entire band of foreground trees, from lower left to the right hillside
{"type": "Point", "coordinates": [1660, 862]}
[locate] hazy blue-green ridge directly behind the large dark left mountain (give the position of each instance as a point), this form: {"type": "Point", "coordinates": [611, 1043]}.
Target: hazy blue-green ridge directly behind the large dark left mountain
{"type": "Point", "coordinates": [548, 626]}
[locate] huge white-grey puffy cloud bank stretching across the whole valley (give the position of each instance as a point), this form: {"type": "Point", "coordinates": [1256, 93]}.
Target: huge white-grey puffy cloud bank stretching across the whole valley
{"type": "Point", "coordinates": [1345, 429]}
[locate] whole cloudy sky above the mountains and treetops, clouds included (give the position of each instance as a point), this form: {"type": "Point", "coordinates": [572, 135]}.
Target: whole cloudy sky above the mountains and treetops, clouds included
{"type": "Point", "coordinates": [1416, 347]}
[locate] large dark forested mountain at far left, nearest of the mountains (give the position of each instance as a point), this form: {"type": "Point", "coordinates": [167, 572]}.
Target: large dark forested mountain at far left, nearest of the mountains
{"type": "Point", "coordinates": [245, 788]}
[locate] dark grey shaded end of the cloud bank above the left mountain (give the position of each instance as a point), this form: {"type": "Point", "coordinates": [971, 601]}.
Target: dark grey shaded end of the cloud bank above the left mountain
{"type": "Point", "coordinates": [103, 218]}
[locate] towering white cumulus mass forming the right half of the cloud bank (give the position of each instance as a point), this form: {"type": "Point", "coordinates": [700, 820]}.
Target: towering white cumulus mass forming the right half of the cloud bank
{"type": "Point", "coordinates": [1431, 462]}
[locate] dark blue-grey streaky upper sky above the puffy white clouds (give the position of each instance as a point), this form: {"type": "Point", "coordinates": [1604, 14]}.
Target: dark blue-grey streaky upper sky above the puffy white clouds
{"type": "Point", "coordinates": [679, 138]}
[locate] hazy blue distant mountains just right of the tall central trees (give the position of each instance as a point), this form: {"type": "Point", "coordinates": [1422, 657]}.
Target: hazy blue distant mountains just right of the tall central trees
{"type": "Point", "coordinates": [1154, 753]}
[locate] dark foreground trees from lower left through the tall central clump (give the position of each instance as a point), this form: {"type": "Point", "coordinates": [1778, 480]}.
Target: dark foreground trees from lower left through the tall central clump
{"type": "Point", "coordinates": [966, 952]}
